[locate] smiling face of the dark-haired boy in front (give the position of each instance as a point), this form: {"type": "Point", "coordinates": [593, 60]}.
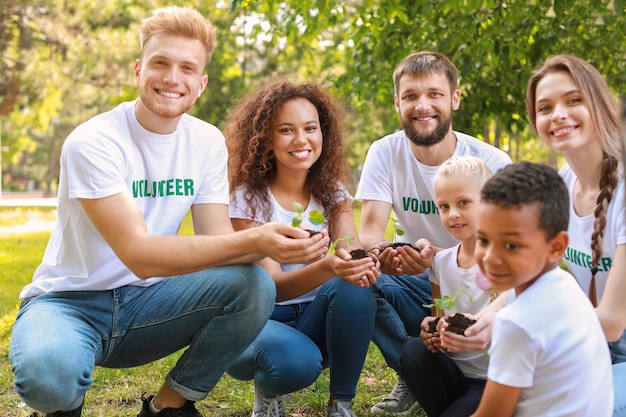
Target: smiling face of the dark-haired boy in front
{"type": "Point", "coordinates": [511, 250]}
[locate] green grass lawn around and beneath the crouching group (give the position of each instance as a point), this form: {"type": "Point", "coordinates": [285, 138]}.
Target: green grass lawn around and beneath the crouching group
{"type": "Point", "coordinates": [117, 392]}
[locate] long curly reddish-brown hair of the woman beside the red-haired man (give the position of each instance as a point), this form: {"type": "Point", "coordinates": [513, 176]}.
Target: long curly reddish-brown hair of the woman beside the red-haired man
{"type": "Point", "coordinates": [248, 132]}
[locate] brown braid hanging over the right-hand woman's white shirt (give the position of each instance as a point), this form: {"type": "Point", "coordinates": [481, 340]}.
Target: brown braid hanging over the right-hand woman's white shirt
{"type": "Point", "coordinates": [608, 183]}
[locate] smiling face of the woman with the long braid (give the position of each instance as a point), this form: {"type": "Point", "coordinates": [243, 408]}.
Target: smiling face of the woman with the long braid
{"type": "Point", "coordinates": [562, 115]}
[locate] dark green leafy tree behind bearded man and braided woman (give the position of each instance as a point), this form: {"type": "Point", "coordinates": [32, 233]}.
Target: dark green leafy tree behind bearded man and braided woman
{"type": "Point", "coordinates": [495, 45]}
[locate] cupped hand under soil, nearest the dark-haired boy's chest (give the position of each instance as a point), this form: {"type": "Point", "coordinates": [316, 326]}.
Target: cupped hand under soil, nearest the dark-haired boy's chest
{"type": "Point", "coordinates": [477, 336]}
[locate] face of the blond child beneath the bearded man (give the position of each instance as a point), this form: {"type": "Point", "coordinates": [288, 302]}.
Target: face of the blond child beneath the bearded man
{"type": "Point", "coordinates": [457, 199]}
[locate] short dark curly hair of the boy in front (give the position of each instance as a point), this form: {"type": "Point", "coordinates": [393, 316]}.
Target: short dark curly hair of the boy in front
{"type": "Point", "coordinates": [526, 183]}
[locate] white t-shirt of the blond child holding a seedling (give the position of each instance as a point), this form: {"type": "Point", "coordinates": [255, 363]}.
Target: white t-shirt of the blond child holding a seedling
{"type": "Point", "coordinates": [446, 273]}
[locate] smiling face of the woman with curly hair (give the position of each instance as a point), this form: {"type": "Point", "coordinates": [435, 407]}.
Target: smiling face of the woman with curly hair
{"type": "Point", "coordinates": [297, 136]}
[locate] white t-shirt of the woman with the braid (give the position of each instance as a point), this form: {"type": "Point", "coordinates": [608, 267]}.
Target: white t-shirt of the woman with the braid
{"type": "Point", "coordinates": [578, 254]}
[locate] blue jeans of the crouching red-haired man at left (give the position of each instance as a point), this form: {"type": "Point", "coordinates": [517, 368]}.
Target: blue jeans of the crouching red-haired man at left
{"type": "Point", "coordinates": [58, 338]}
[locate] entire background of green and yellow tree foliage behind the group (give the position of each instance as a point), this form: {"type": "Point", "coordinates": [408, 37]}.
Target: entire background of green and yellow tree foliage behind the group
{"type": "Point", "coordinates": [62, 61]}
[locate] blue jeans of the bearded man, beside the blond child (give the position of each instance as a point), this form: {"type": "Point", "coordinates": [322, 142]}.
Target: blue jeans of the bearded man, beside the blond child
{"type": "Point", "coordinates": [399, 313]}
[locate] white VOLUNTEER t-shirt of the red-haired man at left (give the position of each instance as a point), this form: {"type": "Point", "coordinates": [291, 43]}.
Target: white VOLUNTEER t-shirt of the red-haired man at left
{"type": "Point", "coordinates": [110, 154]}
